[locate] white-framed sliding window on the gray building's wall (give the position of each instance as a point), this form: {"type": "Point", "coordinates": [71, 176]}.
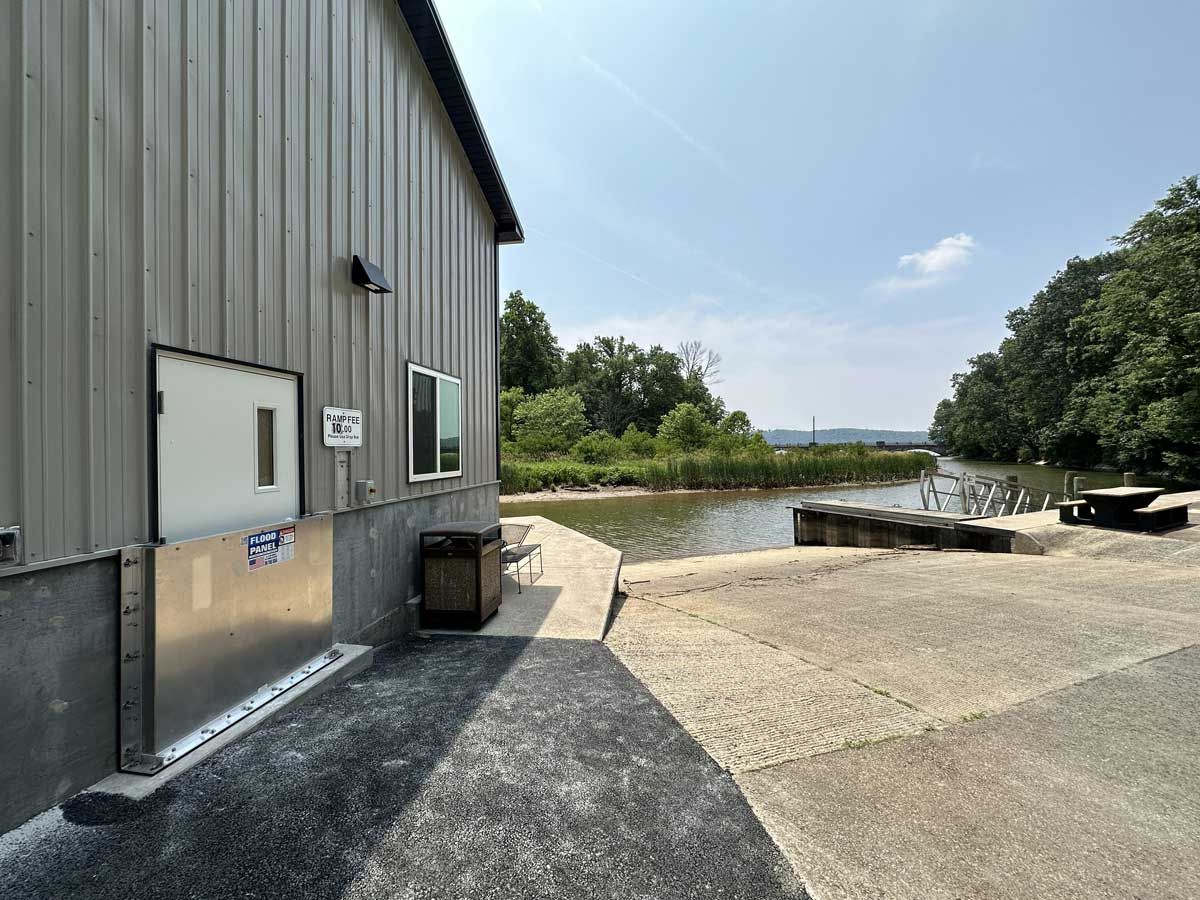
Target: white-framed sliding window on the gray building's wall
{"type": "Point", "coordinates": [435, 424]}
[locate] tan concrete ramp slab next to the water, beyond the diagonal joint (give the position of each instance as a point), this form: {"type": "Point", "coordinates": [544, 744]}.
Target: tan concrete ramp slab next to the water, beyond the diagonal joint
{"type": "Point", "coordinates": [952, 634]}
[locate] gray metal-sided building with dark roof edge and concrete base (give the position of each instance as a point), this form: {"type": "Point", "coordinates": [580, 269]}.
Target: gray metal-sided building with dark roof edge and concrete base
{"type": "Point", "coordinates": [189, 181]}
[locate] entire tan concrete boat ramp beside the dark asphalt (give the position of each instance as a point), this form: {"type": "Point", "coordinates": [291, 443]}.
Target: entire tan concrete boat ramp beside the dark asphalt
{"type": "Point", "coordinates": [940, 725]}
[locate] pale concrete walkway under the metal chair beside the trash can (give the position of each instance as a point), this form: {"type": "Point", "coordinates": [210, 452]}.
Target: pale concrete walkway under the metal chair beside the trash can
{"type": "Point", "coordinates": [572, 598]}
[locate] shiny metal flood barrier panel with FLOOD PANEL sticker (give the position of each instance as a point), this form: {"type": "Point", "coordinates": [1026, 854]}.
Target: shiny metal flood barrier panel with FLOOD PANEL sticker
{"type": "Point", "coordinates": [214, 628]}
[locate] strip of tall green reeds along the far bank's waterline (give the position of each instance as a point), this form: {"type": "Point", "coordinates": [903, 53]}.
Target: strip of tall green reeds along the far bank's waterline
{"type": "Point", "coordinates": [715, 473]}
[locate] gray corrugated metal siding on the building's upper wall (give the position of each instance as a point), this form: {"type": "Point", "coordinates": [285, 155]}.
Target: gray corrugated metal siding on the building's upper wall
{"type": "Point", "coordinates": [199, 175]}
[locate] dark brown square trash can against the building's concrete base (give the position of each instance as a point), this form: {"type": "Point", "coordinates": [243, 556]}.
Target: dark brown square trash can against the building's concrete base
{"type": "Point", "coordinates": [461, 574]}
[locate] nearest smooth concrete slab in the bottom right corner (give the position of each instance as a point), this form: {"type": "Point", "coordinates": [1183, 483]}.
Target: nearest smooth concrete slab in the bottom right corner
{"type": "Point", "coordinates": [1088, 793]}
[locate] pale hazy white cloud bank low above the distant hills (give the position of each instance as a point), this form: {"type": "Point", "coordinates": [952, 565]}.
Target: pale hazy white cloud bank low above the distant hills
{"type": "Point", "coordinates": [784, 364]}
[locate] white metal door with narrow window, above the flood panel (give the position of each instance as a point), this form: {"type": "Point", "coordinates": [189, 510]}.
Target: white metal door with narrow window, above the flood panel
{"type": "Point", "coordinates": [229, 449]}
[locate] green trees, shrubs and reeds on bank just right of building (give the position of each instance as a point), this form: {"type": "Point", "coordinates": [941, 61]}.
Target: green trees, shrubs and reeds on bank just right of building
{"type": "Point", "coordinates": [613, 415]}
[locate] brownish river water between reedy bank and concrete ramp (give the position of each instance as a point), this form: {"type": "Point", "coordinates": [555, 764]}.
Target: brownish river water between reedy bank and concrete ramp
{"type": "Point", "coordinates": [679, 525]}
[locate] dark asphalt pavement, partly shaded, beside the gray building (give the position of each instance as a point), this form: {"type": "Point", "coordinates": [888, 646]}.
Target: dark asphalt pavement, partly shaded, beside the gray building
{"type": "Point", "coordinates": [457, 767]}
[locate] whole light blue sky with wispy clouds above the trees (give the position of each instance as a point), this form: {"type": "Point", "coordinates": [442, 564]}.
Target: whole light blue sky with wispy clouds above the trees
{"type": "Point", "coordinates": [842, 199]}
